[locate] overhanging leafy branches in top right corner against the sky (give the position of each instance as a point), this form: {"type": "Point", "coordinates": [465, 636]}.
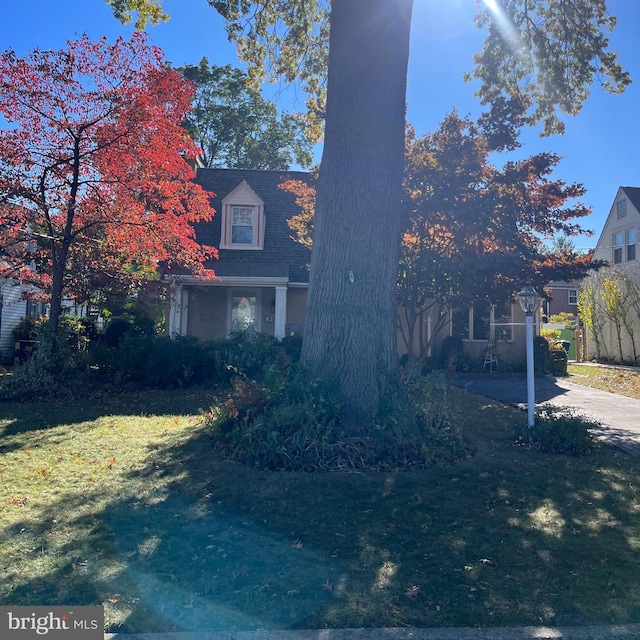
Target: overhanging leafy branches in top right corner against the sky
{"type": "Point", "coordinates": [541, 57]}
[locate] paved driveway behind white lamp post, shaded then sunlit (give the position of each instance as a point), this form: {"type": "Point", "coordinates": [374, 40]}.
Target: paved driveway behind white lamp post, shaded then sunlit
{"type": "Point", "coordinates": [618, 415]}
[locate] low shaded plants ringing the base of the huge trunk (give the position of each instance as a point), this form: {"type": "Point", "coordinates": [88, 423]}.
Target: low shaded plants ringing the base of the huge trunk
{"type": "Point", "coordinates": [299, 422]}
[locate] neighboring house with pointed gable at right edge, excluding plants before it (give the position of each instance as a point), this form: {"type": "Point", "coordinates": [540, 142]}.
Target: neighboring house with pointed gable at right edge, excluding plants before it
{"type": "Point", "coordinates": [618, 244]}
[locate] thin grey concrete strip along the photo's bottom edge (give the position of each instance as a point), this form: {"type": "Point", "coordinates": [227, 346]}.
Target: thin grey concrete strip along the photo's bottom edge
{"type": "Point", "coordinates": [599, 632]}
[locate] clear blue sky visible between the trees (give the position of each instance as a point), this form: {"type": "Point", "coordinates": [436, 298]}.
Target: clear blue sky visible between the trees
{"type": "Point", "coordinates": [601, 148]}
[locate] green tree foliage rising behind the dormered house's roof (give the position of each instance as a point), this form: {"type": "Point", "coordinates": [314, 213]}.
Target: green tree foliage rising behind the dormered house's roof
{"type": "Point", "coordinates": [236, 127]}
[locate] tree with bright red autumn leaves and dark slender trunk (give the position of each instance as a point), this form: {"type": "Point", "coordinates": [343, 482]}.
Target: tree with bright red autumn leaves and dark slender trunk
{"type": "Point", "coordinates": [95, 185]}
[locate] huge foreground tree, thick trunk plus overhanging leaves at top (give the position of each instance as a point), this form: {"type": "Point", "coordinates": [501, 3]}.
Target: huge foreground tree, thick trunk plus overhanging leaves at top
{"type": "Point", "coordinates": [350, 326]}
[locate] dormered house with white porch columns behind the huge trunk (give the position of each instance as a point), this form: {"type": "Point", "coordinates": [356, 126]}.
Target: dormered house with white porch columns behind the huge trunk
{"type": "Point", "coordinates": [262, 273]}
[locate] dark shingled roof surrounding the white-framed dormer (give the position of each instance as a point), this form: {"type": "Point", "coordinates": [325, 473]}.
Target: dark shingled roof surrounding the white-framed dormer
{"type": "Point", "coordinates": [281, 256]}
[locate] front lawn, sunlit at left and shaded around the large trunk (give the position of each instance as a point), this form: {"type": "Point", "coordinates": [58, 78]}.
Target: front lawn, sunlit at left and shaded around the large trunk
{"type": "Point", "coordinates": [117, 501]}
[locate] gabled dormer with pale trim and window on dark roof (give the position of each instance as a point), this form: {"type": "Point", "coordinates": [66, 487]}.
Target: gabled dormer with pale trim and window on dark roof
{"type": "Point", "coordinates": [242, 219]}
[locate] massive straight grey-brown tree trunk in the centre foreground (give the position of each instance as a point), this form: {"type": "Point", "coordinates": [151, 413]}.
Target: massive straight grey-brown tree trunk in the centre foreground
{"type": "Point", "coordinates": [350, 328]}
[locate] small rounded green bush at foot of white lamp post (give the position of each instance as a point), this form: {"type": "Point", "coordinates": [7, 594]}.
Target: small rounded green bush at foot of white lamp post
{"type": "Point", "coordinates": [563, 430]}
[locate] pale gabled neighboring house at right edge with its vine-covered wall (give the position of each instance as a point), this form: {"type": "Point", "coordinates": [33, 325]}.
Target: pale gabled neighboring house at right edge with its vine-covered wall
{"type": "Point", "coordinates": [617, 334]}
